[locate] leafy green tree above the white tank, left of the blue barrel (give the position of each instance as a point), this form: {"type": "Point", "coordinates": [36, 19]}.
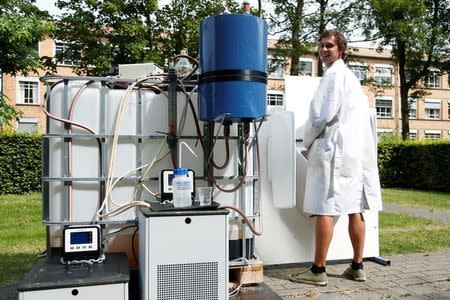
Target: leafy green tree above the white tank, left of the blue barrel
{"type": "Point", "coordinates": [101, 34]}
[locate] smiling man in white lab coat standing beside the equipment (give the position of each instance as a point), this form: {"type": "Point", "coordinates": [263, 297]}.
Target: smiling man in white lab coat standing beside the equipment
{"type": "Point", "coordinates": [342, 173]}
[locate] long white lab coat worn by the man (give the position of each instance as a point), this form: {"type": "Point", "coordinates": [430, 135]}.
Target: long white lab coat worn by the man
{"type": "Point", "coordinates": [342, 171]}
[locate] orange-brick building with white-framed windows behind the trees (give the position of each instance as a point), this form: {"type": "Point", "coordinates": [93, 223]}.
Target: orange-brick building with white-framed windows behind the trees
{"type": "Point", "coordinates": [429, 117]}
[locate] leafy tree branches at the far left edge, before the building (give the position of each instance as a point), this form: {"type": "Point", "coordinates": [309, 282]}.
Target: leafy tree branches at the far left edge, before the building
{"type": "Point", "coordinates": [22, 25]}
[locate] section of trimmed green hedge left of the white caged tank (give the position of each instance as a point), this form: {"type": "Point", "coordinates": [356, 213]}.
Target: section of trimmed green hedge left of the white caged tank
{"type": "Point", "coordinates": [20, 163]}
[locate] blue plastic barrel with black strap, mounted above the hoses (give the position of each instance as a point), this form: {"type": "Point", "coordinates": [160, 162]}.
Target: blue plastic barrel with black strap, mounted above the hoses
{"type": "Point", "coordinates": [233, 65]}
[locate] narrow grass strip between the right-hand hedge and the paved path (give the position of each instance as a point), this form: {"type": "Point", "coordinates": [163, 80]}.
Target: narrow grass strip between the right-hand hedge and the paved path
{"type": "Point", "coordinates": [425, 199]}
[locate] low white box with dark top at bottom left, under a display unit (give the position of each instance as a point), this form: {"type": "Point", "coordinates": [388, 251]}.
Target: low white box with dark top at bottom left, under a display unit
{"type": "Point", "coordinates": [50, 280]}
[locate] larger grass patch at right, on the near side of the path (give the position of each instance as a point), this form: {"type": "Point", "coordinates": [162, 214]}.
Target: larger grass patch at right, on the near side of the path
{"type": "Point", "coordinates": [400, 234]}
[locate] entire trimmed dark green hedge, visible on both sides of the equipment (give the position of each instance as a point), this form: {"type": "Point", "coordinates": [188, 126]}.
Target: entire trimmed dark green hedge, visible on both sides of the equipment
{"type": "Point", "coordinates": [421, 165]}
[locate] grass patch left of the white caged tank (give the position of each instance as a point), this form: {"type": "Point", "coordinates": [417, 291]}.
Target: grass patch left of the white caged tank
{"type": "Point", "coordinates": [22, 235]}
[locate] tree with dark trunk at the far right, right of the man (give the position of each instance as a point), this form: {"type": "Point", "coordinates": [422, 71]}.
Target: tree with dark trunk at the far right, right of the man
{"type": "Point", "coordinates": [419, 34]}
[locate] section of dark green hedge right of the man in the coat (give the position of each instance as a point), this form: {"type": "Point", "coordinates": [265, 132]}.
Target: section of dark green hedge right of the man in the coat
{"type": "Point", "coordinates": [423, 165]}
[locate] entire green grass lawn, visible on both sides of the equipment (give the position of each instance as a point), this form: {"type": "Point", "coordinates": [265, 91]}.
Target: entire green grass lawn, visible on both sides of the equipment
{"type": "Point", "coordinates": [22, 235]}
